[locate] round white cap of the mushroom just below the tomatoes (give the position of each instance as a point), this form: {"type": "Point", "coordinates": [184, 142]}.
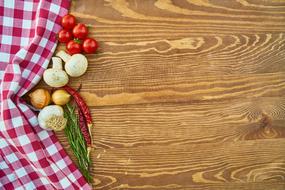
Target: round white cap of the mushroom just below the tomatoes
{"type": "Point", "coordinates": [76, 65]}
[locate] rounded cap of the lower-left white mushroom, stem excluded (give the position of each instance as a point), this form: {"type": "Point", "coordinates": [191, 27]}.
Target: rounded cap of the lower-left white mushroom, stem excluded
{"type": "Point", "coordinates": [55, 77]}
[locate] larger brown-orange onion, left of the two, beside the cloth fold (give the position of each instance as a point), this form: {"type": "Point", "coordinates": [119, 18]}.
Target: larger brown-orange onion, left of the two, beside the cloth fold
{"type": "Point", "coordinates": [40, 98]}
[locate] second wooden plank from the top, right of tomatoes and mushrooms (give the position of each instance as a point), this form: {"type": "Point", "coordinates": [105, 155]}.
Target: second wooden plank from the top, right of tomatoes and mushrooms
{"type": "Point", "coordinates": [236, 53]}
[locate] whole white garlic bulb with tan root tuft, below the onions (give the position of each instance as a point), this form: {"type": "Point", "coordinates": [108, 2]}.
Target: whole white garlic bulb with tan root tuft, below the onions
{"type": "Point", "coordinates": [51, 118]}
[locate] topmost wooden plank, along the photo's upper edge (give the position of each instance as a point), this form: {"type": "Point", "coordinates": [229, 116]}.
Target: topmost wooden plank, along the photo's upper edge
{"type": "Point", "coordinates": [238, 15]}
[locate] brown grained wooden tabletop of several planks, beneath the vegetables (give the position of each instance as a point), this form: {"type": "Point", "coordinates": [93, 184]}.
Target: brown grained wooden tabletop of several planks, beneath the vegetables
{"type": "Point", "coordinates": [186, 94]}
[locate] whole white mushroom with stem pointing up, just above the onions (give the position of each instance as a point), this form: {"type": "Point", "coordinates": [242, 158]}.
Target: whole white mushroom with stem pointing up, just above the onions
{"type": "Point", "coordinates": [55, 76]}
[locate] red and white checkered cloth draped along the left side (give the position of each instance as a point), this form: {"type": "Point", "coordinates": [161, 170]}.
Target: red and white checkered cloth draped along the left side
{"type": "Point", "coordinates": [30, 158]}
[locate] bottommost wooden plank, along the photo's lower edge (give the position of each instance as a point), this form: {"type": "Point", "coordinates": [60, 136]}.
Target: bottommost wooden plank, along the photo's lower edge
{"type": "Point", "coordinates": [186, 165]}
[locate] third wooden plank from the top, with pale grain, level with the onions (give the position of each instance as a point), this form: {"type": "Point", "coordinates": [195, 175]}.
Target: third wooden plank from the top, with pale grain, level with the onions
{"type": "Point", "coordinates": [180, 88]}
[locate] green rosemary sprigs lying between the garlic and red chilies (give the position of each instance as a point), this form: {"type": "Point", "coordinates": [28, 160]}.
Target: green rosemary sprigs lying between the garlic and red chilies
{"type": "Point", "coordinates": [76, 140]}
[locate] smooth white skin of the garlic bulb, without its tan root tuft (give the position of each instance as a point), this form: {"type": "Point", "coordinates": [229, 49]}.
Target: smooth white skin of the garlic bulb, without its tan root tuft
{"type": "Point", "coordinates": [47, 112]}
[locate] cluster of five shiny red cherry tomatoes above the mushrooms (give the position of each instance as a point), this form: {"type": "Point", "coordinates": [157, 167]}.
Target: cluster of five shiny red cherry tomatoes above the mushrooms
{"type": "Point", "coordinates": [76, 36]}
